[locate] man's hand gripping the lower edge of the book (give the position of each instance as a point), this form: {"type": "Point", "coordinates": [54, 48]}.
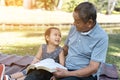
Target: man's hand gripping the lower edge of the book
{"type": "Point", "coordinates": [60, 73]}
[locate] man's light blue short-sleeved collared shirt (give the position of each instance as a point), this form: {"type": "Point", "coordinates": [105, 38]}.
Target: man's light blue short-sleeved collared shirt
{"type": "Point", "coordinates": [84, 47]}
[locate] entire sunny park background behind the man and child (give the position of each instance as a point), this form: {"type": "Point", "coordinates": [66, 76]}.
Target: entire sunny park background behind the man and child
{"type": "Point", "coordinates": [23, 22]}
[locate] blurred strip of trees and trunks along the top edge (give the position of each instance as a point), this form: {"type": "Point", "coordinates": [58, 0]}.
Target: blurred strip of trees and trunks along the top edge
{"type": "Point", "coordinates": [103, 6]}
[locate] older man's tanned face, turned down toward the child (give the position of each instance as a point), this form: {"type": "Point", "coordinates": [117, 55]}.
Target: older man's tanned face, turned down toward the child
{"type": "Point", "coordinates": [80, 25]}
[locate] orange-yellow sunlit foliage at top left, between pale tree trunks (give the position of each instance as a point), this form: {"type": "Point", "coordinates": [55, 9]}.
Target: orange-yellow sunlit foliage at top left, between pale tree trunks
{"type": "Point", "coordinates": [44, 4]}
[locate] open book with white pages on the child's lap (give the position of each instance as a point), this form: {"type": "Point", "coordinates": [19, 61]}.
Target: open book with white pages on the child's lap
{"type": "Point", "coordinates": [46, 64]}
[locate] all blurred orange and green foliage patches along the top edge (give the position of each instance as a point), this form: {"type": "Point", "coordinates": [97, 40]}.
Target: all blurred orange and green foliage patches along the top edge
{"type": "Point", "coordinates": [68, 5]}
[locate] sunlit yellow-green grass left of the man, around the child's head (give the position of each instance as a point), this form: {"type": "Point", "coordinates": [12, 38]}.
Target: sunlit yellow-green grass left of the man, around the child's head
{"type": "Point", "coordinates": [22, 42]}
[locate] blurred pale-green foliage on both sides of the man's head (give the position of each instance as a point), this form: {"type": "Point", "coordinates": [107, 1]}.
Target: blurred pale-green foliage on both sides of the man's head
{"type": "Point", "coordinates": [101, 5]}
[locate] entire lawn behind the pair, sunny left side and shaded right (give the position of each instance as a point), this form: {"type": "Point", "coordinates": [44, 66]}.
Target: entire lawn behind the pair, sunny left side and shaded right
{"type": "Point", "coordinates": [27, 42]}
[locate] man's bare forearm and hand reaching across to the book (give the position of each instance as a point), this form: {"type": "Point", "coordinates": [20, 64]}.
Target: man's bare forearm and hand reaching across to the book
{"type": "Point", "coordinates": [87, 71]}
